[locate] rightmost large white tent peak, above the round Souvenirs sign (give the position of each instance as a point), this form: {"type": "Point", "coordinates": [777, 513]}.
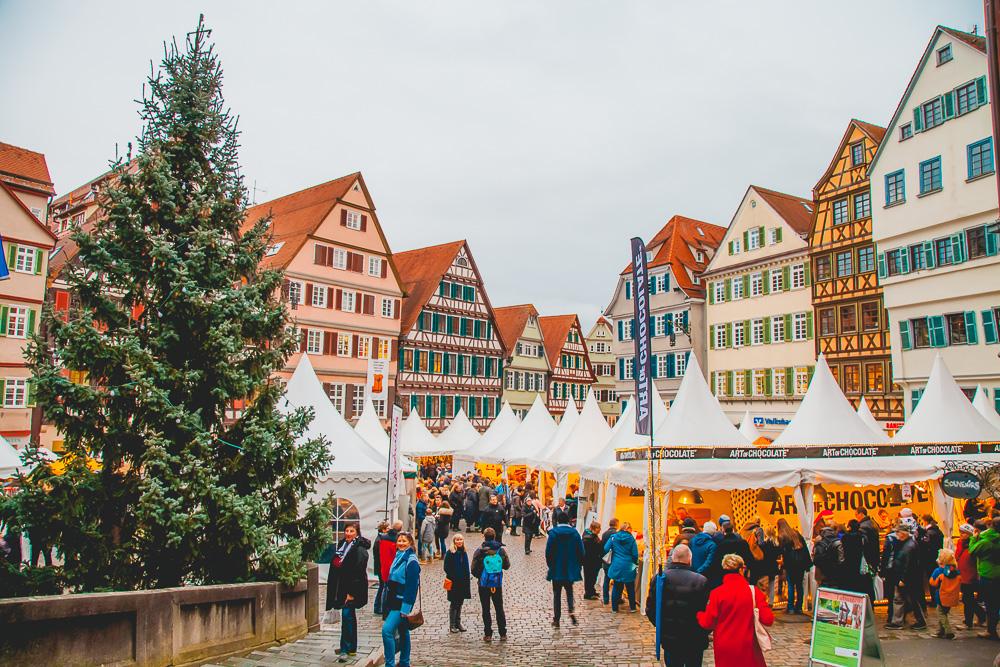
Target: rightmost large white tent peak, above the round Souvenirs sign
{"type": "Point", "coordinates": [944, 414]}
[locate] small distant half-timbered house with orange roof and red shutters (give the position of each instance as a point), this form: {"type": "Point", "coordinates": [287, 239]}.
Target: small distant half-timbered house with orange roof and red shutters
{"type": "Point", "coordinates": [572, 374]}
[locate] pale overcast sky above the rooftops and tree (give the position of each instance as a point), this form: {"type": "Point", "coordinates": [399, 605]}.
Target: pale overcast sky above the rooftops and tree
{"type": "Point", "coordinates": [544, 132]}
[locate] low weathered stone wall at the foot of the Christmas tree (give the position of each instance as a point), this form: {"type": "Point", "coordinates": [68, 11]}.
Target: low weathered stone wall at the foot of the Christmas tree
{"type": "Point", "coordinates": [170, 626]}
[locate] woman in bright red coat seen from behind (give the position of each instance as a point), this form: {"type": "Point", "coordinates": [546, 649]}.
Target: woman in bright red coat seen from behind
{"type": "Point", "coordinates": [730, 614]}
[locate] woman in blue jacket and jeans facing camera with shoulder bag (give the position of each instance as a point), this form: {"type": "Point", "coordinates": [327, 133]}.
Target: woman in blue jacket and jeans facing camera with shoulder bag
{"type": "Point", "coordinates": [401, 595]}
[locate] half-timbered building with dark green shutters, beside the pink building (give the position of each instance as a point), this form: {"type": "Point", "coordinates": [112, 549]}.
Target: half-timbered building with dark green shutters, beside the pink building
{"type": "Point", "coordinates": [451, 355]}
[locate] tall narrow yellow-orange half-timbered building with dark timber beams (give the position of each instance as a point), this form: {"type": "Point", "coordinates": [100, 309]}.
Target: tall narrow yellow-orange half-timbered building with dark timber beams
{"type": "Point", "coordinates": [851, 327]}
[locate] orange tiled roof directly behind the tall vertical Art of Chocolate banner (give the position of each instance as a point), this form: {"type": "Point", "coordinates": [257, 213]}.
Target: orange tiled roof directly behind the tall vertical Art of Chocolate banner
{"type": "Point", "coordinates": [673, 243]}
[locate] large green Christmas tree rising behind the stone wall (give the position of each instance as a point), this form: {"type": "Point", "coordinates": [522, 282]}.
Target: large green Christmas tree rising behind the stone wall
{"type": "Point", "coordinates": [172, 321]}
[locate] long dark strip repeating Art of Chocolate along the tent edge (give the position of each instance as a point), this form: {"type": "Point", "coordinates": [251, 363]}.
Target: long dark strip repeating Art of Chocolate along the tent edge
{"type": "Point", "coordinates": [817, 452]}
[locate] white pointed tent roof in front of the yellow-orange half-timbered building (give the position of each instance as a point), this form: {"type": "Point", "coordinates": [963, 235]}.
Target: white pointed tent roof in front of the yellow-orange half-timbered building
{"type": "Point", "coordinates": [825, 417]}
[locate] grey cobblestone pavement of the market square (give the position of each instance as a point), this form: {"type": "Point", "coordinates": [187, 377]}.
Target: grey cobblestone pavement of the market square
{"type": "Point", "coordinates": [602, 639]}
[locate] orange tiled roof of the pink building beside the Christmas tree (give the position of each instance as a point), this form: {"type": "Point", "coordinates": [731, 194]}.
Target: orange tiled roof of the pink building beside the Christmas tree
{"type": "Point", "coordinates": [296, 216]}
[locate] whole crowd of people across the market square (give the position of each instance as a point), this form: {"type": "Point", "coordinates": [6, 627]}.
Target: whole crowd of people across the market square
{"type": "Point", "coordinates": [704, 588]}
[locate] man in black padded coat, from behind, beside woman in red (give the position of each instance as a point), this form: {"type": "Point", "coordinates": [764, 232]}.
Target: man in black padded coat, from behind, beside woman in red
{"type": "Point", "coordinates": [684, 593]}
